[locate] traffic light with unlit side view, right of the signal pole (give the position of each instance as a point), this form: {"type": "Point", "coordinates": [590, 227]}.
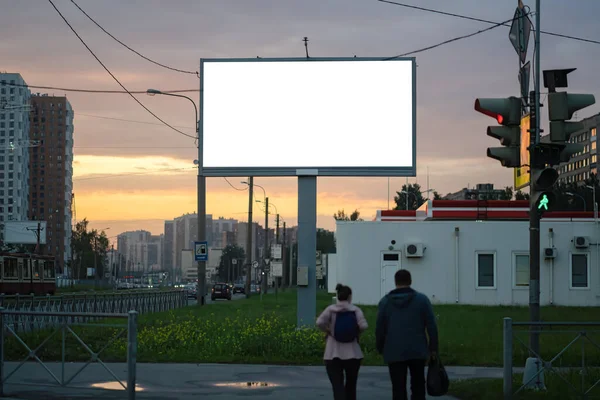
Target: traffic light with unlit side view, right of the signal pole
{"type": "Point", "coordinates": [561, 107]}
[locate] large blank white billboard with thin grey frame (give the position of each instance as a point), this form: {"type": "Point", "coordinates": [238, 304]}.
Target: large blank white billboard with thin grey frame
{"type": "Point", "coordinates": [271, 117]}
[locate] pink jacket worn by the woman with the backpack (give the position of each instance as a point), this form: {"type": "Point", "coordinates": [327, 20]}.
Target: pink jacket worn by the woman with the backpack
{"type": "Point", "coordinates": [326, 323]}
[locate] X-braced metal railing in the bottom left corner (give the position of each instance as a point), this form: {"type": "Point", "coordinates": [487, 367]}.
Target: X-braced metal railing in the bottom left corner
{"type": "Point", "coordinates": [66, 320]}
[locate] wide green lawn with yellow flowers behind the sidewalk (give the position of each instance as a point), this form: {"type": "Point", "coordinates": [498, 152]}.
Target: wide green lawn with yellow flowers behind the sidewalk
{"type": "Point", "coordinates": [251, 331]}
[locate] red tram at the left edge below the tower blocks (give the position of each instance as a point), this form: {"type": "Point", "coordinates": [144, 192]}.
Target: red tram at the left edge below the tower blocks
{"type": "Point", "coordinates": [27, 274]}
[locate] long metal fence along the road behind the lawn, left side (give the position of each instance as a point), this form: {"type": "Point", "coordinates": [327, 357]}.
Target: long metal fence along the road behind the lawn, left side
{"type": "Point", "coordinates": [87, 307]}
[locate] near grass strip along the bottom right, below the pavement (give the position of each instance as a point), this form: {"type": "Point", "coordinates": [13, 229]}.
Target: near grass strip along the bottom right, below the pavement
{"type": "Point", "coordinates": [556, 388]}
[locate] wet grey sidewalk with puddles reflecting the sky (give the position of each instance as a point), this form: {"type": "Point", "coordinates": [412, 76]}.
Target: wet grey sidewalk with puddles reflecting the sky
{"type": "Point", "coordinates": [204, 381]}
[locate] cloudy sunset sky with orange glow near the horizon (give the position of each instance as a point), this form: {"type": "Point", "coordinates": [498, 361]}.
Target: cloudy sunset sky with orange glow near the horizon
{"type": "Point", "coordinates": [131, 172]}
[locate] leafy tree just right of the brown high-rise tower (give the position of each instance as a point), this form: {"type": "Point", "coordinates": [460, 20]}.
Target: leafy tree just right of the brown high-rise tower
{"type": "Point", "coordinates": [89, 249]}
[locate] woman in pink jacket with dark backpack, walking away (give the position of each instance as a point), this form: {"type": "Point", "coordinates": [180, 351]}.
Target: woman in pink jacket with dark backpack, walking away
{"type": "Point", "coordinates": [343, 322]}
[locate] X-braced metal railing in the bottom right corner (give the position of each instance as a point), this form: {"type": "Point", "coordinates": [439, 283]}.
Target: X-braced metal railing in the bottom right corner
{"type": "Point", "coordinates": [580, 332]}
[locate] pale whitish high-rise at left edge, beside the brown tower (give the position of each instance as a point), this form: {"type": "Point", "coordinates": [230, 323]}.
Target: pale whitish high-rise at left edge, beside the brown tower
{"type": "Point", "coordinates": [14, 151]}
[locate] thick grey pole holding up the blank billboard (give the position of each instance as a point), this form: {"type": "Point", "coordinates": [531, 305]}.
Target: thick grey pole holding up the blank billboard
{"type": "Point", "coordinates": [307, 245]}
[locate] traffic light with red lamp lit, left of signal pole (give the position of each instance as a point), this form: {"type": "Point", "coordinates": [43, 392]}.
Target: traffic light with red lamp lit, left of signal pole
{"type": "Point", "coordinates": [508, 114]}
